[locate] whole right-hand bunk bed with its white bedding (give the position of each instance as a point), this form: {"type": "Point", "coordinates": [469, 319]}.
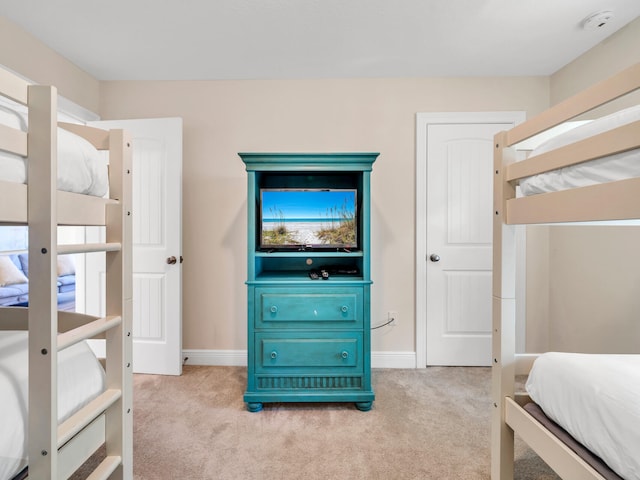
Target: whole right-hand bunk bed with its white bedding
{"type": "Point", "coordinates": [549, 431]}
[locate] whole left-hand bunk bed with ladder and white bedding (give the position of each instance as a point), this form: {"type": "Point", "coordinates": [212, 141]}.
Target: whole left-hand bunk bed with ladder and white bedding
{"type": "Point", "coordinates": [61, 433]}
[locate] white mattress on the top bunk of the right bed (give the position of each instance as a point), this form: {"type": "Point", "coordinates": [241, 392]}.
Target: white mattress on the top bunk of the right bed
{"type": "Point", "coordinates": [602, 170]}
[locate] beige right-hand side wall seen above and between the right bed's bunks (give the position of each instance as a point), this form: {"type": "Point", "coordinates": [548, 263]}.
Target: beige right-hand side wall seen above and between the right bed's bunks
{"type": "Point", "coordinates": [593, 273]}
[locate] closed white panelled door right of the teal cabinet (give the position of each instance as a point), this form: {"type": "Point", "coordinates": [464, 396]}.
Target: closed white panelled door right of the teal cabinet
{"type": "Point", "coordinates": [459, 242]}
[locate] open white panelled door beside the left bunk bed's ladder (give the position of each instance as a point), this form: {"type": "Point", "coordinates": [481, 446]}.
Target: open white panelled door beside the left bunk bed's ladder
{"type": "Point", "coordinates": [157, 246]}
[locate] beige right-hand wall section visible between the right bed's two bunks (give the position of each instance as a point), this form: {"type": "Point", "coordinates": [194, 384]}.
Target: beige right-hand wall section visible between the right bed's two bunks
{"type": "Point", "coordinates": [594, 289]}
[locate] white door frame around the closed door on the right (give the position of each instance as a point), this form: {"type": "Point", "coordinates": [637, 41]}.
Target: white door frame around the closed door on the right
{"type": "Point", "coordinates": [423, 120]}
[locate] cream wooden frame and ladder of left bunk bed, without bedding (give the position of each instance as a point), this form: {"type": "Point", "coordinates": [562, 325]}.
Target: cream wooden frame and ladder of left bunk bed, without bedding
{"type": "Point", "coordinates": [56, 451]}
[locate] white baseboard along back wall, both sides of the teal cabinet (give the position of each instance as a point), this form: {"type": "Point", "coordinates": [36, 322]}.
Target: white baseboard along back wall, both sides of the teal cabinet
{"type": "Point", "coordinates": [238, 358]}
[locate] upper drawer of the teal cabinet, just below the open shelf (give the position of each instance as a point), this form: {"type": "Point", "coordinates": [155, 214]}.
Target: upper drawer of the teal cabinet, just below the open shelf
{"type": "Point", "coordinates": [309, 307]}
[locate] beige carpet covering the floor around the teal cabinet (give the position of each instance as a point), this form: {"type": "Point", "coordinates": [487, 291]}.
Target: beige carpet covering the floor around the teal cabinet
{"type": "Point", "coordinates": [425, 424]}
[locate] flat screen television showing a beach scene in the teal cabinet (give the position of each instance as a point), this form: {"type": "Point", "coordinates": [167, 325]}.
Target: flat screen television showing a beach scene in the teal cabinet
{"type": "Point", "coordinates": [316, 219]}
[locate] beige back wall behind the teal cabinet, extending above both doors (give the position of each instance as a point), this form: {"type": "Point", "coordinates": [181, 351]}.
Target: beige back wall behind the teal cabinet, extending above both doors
{"type": "Point", "coordinates": [222, 118]}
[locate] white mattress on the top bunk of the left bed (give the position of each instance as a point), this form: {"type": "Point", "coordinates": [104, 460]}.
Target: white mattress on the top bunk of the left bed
{"type": "Point", "coordinates": [81, 168]}
